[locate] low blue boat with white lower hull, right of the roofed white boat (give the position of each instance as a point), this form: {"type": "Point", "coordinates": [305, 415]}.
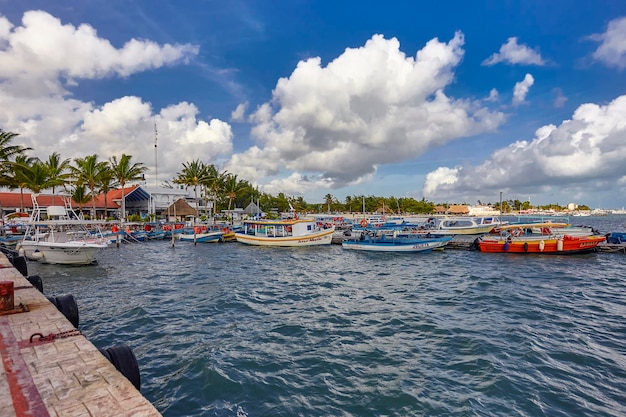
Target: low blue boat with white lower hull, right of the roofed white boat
{"type": "Point", "coordinates": [396, 242]}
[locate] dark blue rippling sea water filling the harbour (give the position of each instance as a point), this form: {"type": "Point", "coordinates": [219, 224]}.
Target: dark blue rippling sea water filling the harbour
{"type": "Point", "coordinates": [232, 330]}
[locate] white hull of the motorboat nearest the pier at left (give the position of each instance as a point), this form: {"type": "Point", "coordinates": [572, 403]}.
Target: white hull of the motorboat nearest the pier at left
{"type": "Point", "coordinates": [61, 253]}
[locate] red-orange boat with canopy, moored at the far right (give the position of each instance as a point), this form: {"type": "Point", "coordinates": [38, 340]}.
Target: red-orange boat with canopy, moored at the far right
{"type": "Point", "coordinates": [523, 238]}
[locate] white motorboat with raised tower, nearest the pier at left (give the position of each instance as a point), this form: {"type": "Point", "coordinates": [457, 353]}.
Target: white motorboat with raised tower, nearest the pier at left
{"type": "Point", "coordinates": [56, 235]}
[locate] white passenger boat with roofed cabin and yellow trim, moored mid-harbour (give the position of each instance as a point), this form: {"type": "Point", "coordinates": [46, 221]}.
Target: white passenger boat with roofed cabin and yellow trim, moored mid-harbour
{"type": "Point", "coordinates": [289, 232]}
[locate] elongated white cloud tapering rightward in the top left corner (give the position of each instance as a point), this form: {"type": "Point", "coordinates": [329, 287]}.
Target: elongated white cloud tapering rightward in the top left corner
{"type": "Point", "coordinates": [45, 49]}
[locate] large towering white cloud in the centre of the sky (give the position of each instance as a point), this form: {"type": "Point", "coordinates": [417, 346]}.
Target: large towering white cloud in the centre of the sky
{"type": "Point", "coordinates": [370, 106]}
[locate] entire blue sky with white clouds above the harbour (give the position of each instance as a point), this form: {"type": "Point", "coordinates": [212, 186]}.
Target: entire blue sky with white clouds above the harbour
{"type": "Point", "coordinates": [451, 101]}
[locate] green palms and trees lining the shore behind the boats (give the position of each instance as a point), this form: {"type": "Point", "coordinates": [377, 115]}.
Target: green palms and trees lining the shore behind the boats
{"type": "Point", "coordinates": [86, 178]}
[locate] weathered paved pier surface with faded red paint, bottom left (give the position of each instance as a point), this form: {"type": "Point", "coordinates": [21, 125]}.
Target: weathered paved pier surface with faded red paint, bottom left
{"type": "Point", "coordinates": [57, 376]}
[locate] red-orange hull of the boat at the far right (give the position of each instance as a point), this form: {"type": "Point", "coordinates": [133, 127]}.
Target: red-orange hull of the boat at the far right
{"type": "Point", "coordinates": [562, 245]}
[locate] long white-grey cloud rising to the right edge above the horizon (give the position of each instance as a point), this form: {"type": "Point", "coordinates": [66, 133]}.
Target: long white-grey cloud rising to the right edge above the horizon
{"type": "Point", "coordinates": [589, 147]}
